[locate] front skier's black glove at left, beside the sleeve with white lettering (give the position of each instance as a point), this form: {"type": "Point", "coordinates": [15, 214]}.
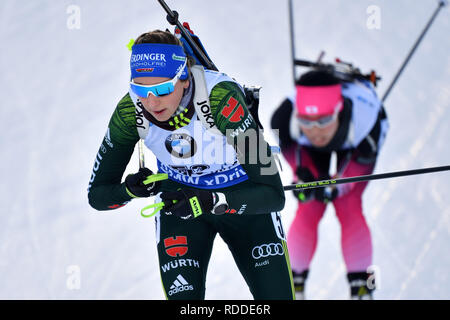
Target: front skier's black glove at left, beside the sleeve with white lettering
{"type": "Point", "coordinates": [141, 184]}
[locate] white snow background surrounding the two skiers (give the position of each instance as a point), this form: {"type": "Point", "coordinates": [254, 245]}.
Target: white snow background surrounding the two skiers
{"type": "Point", "coordinates": [60, 85]}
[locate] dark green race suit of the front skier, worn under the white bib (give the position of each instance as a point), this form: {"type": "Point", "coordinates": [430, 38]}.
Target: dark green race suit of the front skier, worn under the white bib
{"type": "Point", "coordinates": [253, 233]}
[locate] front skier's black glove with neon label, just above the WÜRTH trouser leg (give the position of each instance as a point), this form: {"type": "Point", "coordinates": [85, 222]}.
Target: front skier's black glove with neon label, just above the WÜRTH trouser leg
{"type": "Point", "coordinates": [191, 203]}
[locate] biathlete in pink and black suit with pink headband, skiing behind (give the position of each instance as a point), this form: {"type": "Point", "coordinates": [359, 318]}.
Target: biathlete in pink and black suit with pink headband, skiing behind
{"type": "Point", "coordinates": [326, 115]}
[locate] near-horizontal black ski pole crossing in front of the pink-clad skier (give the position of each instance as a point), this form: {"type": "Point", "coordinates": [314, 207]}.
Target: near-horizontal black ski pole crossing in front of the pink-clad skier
{"type": "Point", "coordinates": [331, 182]}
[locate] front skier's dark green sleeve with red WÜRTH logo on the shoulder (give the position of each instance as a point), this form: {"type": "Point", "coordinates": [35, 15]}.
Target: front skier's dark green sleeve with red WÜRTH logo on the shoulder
{"type": "Point", "coordinates": [263, 192]}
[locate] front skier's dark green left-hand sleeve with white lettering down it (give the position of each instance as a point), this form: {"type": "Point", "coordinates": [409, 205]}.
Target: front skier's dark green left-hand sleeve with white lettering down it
{"type": "Point", "coordinates": [106, 191]}
